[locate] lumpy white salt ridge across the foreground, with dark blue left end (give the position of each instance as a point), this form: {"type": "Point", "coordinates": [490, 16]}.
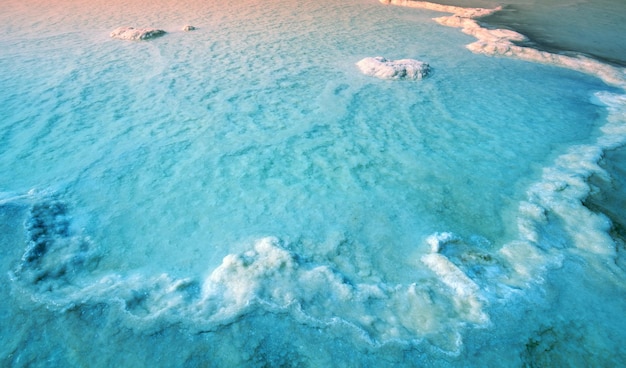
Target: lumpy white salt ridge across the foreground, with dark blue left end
{"type": "Point", "coordinates": [60, 270]}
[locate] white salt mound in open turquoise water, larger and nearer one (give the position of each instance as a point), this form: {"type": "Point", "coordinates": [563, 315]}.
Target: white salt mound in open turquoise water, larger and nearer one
{"type": "Point", "coordinates": [393, 69]}
